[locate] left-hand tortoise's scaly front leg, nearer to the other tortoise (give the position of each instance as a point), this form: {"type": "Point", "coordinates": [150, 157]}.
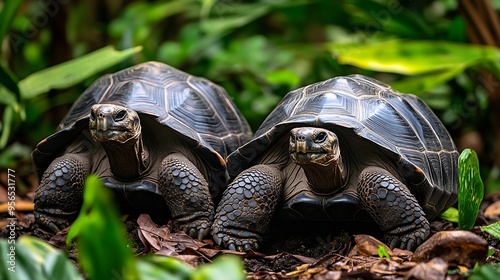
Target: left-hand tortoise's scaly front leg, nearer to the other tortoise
{"type": "Point", "coordinates": [187, 195]}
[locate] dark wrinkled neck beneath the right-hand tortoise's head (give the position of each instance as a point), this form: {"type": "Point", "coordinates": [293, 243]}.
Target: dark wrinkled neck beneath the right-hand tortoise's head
{"type": "Point", "coordinates": [326, 179]}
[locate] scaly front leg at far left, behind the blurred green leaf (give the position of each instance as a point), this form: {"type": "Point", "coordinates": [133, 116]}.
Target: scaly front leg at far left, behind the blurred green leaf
{"type": "Point", "coordinates": [59, 197]}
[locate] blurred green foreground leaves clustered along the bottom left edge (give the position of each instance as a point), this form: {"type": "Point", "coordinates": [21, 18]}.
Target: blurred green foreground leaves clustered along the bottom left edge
{"type": "Point", "coordinates": [103, 251]}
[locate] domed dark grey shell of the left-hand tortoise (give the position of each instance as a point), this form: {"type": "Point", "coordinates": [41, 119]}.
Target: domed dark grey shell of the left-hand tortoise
{"type": "Point", "coordinates": [195, 107]}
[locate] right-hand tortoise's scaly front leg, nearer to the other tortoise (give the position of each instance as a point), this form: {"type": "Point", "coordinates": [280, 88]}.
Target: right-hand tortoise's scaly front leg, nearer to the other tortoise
{"type": "Point", "coordinates": [247, 207]}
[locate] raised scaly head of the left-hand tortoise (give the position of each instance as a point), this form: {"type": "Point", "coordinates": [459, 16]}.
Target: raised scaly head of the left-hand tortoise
{"type": "Point", "coordinates": [109, 122]}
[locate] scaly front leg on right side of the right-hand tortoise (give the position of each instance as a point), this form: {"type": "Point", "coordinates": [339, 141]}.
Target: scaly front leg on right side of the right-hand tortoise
{"type": "Point", "coordinates": [393, 207]}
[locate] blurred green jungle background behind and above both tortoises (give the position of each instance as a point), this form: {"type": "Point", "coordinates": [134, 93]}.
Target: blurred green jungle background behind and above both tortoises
{"type": "Point", "coordinates": [258, 51]}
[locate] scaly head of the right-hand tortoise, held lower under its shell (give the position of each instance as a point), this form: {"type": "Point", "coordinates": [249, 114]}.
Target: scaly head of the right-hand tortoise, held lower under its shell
{"type": "Point", "coordinates": [313, 145]}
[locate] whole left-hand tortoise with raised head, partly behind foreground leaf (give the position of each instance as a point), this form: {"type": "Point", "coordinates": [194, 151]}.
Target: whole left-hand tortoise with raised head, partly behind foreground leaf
{"type": "Point", "coordinates": [155, 135]}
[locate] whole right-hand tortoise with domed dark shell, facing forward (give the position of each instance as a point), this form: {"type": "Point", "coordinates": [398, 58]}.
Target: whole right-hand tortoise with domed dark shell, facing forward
{"type": "Point", "coordinates": [346, 149]}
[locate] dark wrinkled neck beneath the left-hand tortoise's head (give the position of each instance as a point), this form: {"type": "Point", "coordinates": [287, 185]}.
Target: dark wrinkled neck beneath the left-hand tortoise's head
{"type": "Point", "coordinates": [127, 159]}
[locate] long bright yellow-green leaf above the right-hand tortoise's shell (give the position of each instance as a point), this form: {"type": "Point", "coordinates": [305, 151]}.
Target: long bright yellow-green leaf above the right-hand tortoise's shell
{"type": "Point", "coordinates": [413, 57]}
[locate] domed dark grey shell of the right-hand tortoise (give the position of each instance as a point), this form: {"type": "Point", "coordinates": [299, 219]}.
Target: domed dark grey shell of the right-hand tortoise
{"type": "Point", "coordinates": [402, 124]}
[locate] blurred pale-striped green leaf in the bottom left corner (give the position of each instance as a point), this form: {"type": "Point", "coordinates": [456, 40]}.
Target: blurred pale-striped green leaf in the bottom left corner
{"type": "Point", "coordinates": [34, 259]}
